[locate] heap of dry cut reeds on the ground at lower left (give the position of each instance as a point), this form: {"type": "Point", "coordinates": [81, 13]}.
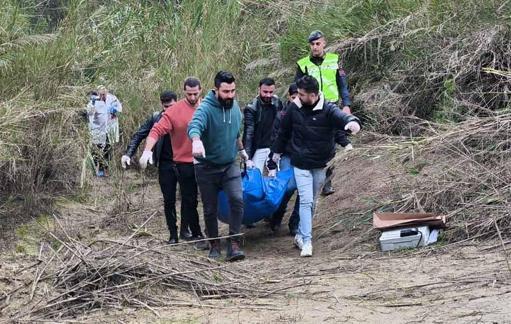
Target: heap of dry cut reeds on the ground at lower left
{"type": "Point", "coordinates": [72, 279]}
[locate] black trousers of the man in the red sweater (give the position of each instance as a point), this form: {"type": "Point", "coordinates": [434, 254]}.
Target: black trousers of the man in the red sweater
{"type": "Point", "coordinates": [185, 173]}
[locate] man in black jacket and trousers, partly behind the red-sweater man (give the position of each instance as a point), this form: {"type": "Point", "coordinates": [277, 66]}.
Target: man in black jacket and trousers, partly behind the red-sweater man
{"type": "Point", "coordinates": [162, 157]}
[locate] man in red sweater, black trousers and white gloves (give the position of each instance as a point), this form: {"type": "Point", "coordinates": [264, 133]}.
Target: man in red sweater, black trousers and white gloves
{"type": "Point", "coordinates": [175, 122]}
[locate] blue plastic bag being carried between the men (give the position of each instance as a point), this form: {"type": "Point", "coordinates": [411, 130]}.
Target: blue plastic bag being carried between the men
{"type": "Point", "coordinates": [257, 207]}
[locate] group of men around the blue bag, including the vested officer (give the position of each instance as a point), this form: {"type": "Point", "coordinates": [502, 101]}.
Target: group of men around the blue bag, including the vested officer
{"type": "Point", "coordinates": [195, 142]}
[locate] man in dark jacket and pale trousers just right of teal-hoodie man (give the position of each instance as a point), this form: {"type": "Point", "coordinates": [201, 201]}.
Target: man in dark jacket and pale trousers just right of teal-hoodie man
{"type": "Point", "coordinates": [259, 116]}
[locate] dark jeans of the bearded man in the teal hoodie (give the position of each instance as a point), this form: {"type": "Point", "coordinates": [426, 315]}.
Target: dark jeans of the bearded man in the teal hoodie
{"type": "Point", "coordinates": [211, 179]}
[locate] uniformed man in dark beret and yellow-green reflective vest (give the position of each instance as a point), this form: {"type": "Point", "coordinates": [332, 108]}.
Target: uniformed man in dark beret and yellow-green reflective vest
{"type": "Point", "coordinates": [327, 69]}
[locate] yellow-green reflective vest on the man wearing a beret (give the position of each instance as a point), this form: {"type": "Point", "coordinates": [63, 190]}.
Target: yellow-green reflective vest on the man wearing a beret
{"type": "Point", "coordinates": [326, 74]}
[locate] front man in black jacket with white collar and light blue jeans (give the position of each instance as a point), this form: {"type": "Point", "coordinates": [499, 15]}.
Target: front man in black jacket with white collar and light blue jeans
{"type": "Point", "coordinates": [309, 125]}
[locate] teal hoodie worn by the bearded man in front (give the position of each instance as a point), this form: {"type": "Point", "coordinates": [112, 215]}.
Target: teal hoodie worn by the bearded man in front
{"type": "Point", "coordinates": [218, 127]}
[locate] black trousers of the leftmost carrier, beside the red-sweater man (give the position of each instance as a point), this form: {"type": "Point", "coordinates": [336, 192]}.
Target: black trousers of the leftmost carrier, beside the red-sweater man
{"type": "Point", "coordinates": [168, 184]}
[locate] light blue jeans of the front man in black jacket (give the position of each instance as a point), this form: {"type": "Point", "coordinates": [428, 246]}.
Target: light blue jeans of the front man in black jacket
{"type": "Point", "coordinates": [309, 183]}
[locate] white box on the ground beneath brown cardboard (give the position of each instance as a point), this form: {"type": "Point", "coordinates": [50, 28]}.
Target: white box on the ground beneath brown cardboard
{"type": "Point", "coordinates": [402, 238]}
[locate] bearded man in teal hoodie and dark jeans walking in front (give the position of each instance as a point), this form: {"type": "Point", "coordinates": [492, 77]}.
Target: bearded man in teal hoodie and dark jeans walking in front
{"type": "Point", "coordinates": [215, 133]}
